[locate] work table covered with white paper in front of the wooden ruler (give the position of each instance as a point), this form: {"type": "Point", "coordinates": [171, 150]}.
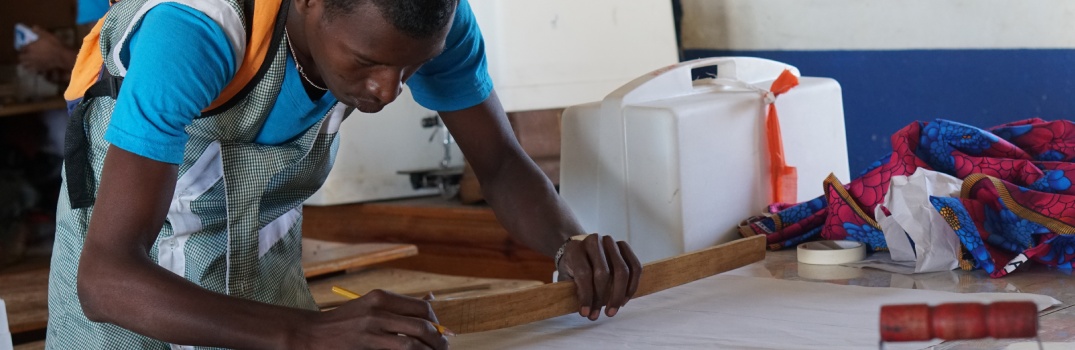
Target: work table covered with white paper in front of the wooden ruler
{"type": "Point", "coordinates": [783, 307]}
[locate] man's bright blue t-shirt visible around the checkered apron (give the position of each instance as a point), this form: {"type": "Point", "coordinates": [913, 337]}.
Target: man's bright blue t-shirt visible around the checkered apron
{"type": "Point", "coordinates": [171, 79]}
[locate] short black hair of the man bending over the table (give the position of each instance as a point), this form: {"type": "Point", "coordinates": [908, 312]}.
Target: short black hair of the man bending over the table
{"type": "Point", "coordinates": [417, 19]}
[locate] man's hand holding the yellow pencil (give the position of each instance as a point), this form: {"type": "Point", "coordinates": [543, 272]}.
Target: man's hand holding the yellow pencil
{"type": "Point", "coordinates": [378, 320]}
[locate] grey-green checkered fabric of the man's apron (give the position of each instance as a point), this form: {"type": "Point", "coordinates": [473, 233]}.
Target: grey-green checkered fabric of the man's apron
{"type": "Point", "coordinates": [261, 184]}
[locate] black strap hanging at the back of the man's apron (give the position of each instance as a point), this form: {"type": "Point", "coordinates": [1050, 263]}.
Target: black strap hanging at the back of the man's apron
{"type": "Point", "coordinates": [77, 163]}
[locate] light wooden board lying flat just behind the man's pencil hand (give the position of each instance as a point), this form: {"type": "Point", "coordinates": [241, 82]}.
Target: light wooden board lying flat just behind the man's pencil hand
{"type": "Point", "coordinates": [411, 283]}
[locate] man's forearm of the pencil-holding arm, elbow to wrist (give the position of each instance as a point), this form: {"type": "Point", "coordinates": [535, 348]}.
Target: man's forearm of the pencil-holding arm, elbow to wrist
{"type": "Point", "coordinates": [139, 296]}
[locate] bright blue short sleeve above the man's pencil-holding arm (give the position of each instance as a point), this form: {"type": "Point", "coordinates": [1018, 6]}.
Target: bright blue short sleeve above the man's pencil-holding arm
{"type": "Point", "coordinates": [170, 80]}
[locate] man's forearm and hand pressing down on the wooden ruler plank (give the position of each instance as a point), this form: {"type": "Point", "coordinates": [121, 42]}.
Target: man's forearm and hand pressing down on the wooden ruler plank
{"type": "Point", "coordinates": [526, 203]}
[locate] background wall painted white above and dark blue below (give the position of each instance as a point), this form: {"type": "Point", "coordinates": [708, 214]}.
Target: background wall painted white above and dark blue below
{"type": "Point", "coordinates": [982, 63]}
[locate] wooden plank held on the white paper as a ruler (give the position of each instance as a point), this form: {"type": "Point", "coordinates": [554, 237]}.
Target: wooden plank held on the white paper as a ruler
{"type": "Point", "coordinates": [548, 301]}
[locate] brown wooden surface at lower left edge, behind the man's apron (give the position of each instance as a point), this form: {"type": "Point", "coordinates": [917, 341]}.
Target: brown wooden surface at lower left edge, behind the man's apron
{"type": "Point", "coordinates": [25, 290]}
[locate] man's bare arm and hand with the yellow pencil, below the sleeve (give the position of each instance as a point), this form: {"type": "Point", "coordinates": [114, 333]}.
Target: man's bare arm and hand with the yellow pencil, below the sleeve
{"type": "Point", "coordinates": [120, 284]}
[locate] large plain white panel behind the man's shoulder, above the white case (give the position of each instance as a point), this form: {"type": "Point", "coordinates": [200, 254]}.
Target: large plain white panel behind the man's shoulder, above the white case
{"type": "Point", "coordinates": [553, 54]}
